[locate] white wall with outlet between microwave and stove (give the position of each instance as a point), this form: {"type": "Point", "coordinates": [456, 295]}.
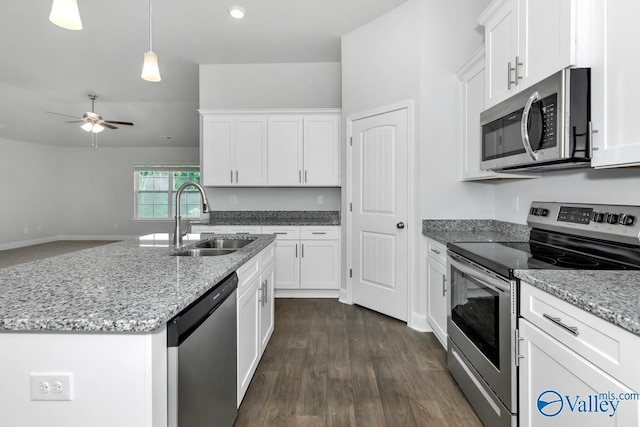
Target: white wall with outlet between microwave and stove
{"type": "Point", "coordinates": [606, 186]}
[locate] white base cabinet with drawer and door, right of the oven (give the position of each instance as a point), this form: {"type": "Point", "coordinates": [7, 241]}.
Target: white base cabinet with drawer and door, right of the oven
{"type": "Point", "coordinates": [569, 370]}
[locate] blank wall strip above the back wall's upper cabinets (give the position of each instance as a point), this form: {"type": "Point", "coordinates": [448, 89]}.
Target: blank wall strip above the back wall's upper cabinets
{"type": "Point", "coordinates": [288, 85]}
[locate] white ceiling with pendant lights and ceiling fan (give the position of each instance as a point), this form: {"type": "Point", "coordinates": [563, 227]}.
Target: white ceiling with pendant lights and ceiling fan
{"type": "Point", "coordinates": [44, 68]}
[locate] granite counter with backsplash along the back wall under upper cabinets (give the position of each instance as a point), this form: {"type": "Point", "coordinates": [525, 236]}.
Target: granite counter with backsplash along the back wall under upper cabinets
{"type": "Point", "coordinates": [274, 218]}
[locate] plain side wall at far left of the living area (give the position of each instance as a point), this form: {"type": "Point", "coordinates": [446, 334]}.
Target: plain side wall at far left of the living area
{"type": "Point", "coordinates": [29, 197]}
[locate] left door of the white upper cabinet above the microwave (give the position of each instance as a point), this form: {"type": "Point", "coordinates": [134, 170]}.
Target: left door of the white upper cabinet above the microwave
{"type": "Point", "coordinates": [501, 44]}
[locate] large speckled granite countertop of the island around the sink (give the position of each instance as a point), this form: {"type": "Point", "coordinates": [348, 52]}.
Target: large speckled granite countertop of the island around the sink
{"type": "Point", "coordinates": [130, 286]}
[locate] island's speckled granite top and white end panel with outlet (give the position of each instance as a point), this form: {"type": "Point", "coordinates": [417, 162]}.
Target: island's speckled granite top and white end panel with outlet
{"type": "Point", "coordinates": [100, 314]}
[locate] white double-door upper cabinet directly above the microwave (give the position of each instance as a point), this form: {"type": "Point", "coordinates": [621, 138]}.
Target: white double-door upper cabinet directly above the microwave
{"type": "Point", "coordinates": [529, 40]}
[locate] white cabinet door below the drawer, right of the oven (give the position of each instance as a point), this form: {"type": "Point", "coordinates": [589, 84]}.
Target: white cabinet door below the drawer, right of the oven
{"type": "Point", "coordinates": [559, 388]}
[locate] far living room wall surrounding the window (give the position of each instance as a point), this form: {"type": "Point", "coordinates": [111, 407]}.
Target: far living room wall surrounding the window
{"type": "Point", "coordinates": [97, 197]}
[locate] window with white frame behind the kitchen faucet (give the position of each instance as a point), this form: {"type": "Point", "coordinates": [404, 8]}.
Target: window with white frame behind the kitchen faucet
{"type": "Point", "coordinates": [155, 189]}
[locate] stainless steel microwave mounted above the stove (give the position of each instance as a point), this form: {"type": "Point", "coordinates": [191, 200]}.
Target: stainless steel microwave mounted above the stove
{"type": "Point", "coordinates": [546, 126]}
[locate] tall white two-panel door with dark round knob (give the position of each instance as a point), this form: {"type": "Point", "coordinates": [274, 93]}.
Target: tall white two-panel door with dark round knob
{"type": "Point", "coordinates": [380, 209]}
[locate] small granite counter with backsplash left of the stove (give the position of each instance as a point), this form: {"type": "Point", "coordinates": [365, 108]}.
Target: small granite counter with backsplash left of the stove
{"type": "Point", "coordinates": [473, 230]}
